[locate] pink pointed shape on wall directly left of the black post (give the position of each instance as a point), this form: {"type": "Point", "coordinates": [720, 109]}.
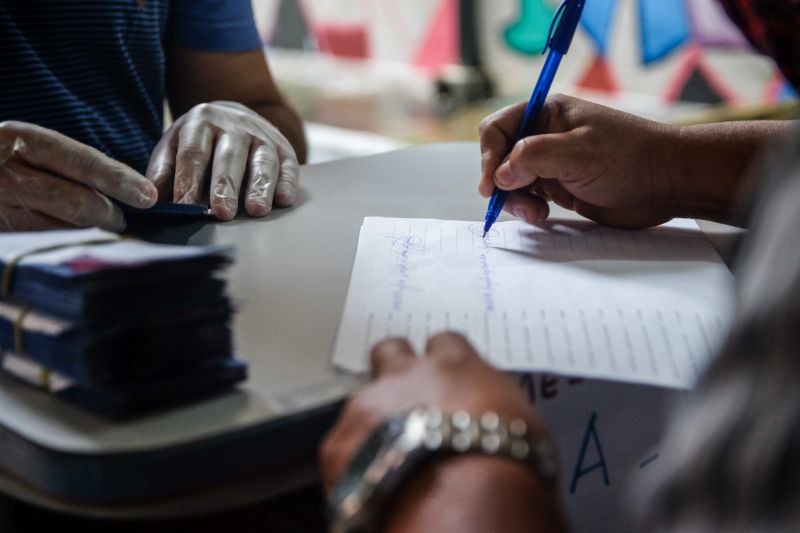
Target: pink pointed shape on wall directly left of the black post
{"type": "Point", "coordinates": [440, 45]}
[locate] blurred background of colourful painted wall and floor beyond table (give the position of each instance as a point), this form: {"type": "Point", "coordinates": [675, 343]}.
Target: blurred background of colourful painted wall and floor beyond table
{"type": "Point", "coordinates": [374, 75]}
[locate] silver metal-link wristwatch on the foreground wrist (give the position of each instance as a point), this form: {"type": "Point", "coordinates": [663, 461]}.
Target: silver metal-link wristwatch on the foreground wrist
{"type": "Point", "coordinates": [403, 442]}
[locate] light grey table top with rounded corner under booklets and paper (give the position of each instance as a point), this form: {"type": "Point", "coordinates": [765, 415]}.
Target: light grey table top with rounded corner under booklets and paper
{"type": "Point", "coordinates": [289, 283]}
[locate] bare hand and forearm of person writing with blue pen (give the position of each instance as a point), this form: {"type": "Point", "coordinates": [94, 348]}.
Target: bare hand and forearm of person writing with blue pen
{"type": "Point", "coordinates": [616, 168]}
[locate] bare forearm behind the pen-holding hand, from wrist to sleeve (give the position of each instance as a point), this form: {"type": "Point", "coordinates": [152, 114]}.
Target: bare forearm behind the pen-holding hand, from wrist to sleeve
{"type": "Point", "coordinates": [708, 167]}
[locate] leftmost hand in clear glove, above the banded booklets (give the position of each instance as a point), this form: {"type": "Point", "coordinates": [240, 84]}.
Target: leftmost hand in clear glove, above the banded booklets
{"type": "Point", "coordinates": [48, 181]}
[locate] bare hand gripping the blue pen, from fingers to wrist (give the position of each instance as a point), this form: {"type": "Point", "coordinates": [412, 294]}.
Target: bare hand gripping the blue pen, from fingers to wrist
{"type": "Point", "coordinates": [606, 165]}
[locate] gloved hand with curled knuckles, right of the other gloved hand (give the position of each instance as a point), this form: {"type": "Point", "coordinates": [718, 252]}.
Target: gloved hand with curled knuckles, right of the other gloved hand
{"type": "Point", "coordinates": [221, 152]}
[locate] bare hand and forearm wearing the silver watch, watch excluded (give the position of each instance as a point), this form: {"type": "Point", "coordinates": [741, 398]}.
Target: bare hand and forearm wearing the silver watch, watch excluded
{"type": "Point", "coordinates": [464, 493]}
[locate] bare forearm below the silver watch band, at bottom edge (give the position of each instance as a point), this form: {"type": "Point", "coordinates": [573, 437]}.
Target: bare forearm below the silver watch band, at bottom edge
{"type": "Point", "coordinates": [476, 494]}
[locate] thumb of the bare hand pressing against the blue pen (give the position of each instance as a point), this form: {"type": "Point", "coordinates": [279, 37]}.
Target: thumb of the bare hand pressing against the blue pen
{"type": "Point", "coordinates": [541, 156]}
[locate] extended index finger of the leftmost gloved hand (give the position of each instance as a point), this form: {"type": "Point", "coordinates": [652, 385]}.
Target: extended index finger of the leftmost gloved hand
{"type": "Point", "coordinates": [56, 153]}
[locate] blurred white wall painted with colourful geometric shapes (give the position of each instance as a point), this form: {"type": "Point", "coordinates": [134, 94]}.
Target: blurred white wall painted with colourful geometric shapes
{"type": "Point", "coordinates": [672, 50]}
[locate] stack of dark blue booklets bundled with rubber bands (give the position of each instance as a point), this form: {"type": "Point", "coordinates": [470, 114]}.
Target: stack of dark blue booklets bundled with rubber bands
{"type": "Point", "coordinates": [118, 326]}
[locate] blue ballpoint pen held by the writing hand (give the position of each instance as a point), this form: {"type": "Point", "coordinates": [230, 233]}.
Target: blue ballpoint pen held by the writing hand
{"type": "Point", "coordinates": [558, 43]}
